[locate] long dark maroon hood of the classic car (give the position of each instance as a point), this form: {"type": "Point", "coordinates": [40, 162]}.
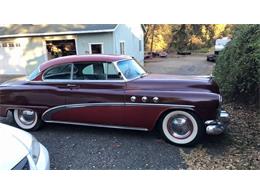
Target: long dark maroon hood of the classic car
{"type": "Point", "coordinates": [176, 83]}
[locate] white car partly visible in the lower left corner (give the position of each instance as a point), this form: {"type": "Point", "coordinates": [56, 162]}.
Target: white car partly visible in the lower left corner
{"type": "Point", "coordinates": [19, 150]}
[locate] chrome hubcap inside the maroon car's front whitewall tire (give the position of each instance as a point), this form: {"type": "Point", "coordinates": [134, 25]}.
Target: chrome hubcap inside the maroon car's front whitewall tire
{"type": "Point", "coordinates": [180, 126]}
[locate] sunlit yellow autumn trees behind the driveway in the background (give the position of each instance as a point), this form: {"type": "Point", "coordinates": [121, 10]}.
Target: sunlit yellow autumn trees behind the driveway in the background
{"type": "Point", "coordinates": [160, 37]}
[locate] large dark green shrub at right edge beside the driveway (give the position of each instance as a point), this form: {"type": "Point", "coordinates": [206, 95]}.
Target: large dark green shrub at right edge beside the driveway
{"type": "Point", "coordinates": [237, 67]}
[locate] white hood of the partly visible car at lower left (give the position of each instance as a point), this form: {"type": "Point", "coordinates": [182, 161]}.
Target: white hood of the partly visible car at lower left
{"type": "Point", "coordinates": [14, 144]}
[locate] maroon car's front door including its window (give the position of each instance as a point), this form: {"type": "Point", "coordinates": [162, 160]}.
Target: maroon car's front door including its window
{"type": "Point", "coordinates": [96, 95]}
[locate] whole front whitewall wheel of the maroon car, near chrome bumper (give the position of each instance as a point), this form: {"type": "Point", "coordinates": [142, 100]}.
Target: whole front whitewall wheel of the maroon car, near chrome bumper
{"type": "Point", "coordinates": [181, 128]}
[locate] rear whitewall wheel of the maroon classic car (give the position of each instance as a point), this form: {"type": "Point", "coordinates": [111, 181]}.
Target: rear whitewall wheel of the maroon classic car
{"type": "Point", "coordinates": [26, 119]}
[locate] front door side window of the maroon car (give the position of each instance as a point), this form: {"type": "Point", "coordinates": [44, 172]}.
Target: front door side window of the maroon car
{"type": "Point", "coordinates": [95, 71]}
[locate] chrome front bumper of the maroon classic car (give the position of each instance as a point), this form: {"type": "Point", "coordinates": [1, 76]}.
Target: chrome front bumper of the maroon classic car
{"type": "Point", "coordinates": [216, 127]}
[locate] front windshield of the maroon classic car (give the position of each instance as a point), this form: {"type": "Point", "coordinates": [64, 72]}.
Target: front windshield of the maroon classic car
{"type": "Point", "coordinates": [131, 69]}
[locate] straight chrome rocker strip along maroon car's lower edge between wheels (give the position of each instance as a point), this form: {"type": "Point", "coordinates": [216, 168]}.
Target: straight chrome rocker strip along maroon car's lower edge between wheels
{"type": "Point", "coordinates": [97, 125]}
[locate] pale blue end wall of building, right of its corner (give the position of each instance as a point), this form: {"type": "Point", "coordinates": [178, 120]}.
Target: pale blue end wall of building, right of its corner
{"type": "Point", "coordinates": [130, 34]}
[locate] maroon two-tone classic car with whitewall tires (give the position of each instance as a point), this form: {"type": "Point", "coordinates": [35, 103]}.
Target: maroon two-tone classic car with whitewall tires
{"type": "Point", "coordinates": [115, 91]}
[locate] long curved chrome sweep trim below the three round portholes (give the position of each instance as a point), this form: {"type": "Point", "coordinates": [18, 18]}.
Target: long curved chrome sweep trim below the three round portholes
{"type": "Point", "coordinates": [46, 116]}
